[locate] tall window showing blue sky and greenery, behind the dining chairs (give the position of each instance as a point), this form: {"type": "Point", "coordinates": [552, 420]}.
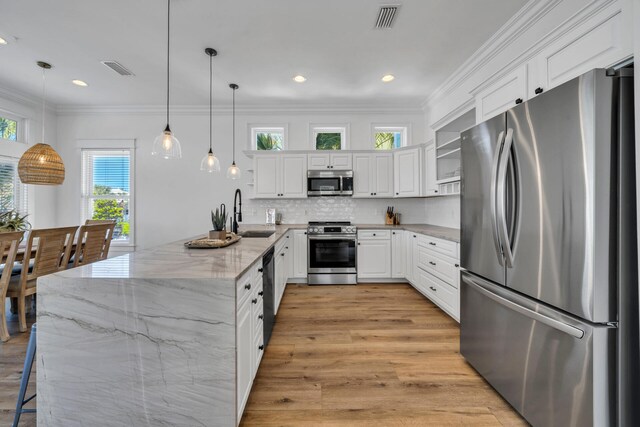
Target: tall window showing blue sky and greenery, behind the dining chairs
{"type": "Point", "coordinates": [106, 189]}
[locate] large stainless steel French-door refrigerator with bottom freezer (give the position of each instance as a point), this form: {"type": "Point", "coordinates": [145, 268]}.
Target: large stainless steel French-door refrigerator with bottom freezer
{"type": "Point", "coordinates": [549, 287]}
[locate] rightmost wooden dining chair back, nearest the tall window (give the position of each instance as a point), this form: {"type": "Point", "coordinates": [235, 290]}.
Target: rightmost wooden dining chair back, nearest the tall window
{"type": "Point", "coordinates": [94, 240]}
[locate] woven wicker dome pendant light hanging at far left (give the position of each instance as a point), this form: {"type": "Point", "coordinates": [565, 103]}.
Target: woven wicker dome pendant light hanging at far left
{"type": "Point", "coordinates": [41, 164]}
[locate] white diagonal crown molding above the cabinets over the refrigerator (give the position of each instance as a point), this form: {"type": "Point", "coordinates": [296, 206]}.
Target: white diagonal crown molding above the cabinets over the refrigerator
{"type": "Point", "coordinates": [526, 17]}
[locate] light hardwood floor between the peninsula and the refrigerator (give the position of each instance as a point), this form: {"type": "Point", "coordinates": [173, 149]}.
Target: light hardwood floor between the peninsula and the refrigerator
{"type": "Point", "coordinates": [379, 355]}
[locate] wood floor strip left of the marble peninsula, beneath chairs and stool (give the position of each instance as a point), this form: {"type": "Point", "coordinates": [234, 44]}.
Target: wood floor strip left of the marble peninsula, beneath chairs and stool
{"type": "Point", "coordinates": [11, 362]}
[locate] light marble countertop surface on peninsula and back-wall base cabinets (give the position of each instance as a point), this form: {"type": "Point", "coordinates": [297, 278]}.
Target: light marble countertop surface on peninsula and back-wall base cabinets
{"type": "Point", "coordinates": [175, 261]}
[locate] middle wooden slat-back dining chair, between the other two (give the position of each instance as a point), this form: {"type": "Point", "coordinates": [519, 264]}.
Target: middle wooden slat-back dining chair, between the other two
{"type": "Point", "coordinates": [49, 249]}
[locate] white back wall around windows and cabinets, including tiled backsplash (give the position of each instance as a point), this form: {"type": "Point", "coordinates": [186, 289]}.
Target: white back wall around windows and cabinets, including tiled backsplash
{"type": "Point", "coordinates": [173, 198]}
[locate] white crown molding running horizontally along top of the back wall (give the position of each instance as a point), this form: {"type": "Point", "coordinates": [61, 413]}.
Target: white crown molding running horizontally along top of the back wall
{"type": "Point", "coordinates": [266, 109]}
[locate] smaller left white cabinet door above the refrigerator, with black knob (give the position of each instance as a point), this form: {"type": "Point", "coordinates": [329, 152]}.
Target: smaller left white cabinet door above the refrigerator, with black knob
{"type": "Point", "coordinates": [503, 94]}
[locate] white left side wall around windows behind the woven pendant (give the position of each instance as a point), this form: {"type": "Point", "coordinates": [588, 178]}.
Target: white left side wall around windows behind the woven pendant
{"type": "Point", "coordinates": [42, 199]}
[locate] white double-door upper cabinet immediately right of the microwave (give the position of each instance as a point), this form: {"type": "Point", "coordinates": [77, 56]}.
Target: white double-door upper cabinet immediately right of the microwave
{"type": "Point", "coordinates": [373, 175]}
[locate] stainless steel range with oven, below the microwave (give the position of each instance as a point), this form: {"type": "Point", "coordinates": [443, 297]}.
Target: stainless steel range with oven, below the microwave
{"type": "Point", "coordinates": [332, 253]}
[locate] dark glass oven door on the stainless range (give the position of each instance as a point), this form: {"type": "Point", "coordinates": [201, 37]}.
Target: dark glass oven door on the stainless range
{"type": "Point", "coordinates": [332, 254]}
